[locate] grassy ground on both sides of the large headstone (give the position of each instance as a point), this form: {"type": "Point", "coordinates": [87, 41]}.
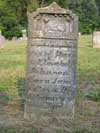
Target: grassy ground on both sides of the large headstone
{"type": "Point", "coordinates": [12, 81]}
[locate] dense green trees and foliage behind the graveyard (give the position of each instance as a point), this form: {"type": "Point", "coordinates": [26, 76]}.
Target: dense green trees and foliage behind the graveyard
{"type": "Point", "coordinates": [13, 14]}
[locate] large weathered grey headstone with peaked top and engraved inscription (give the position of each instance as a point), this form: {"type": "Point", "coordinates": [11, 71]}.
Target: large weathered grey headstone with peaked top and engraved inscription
{"type": "Point", "coordinates": [51, 68]}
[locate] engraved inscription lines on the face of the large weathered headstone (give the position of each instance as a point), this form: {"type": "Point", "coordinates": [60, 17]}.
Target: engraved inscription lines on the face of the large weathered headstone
{"type": "Point", "coordinates": [50, 75]}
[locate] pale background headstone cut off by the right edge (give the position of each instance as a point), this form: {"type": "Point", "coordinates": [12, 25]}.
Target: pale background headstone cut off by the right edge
{"type": "Point", "coordinates": [96, 39]}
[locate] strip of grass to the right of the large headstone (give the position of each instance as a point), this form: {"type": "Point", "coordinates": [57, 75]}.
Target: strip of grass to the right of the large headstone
{"type": "Point", "coordinates": [88, 101]}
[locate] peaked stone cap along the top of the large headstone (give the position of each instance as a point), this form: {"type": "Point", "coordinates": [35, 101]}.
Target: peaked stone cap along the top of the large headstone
{"type": "Point", "coordinates": [53, 8]}
